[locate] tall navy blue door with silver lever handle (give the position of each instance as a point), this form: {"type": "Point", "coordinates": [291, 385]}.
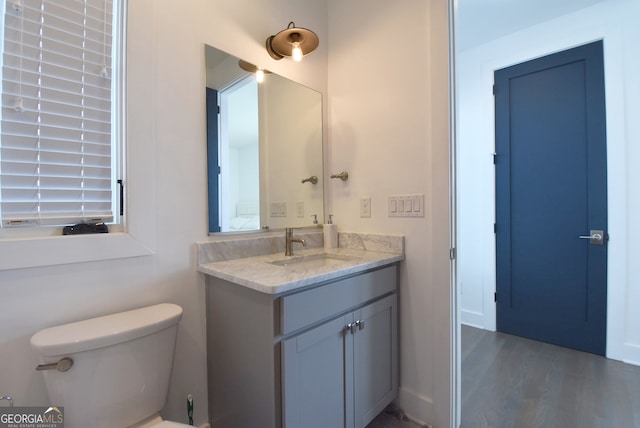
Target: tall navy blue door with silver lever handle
{"type": "Point", "coordinates": [551, 199]}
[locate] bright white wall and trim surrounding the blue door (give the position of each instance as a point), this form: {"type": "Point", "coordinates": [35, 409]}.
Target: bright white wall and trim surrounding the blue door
{"type": "Point", "coordinates": [615, 22]}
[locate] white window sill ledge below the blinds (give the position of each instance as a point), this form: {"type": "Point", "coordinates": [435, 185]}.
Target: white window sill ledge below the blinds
{"type": "Point", "coordinates": [57, 250]}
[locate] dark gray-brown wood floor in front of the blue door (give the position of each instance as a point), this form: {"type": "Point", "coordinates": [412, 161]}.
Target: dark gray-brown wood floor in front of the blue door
{"type": "Point", "coordinates": [510, 382]}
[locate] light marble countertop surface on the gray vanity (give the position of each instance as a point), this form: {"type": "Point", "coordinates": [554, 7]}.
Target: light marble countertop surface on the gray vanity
{"type": "Point", "coordinates": [260, 274]}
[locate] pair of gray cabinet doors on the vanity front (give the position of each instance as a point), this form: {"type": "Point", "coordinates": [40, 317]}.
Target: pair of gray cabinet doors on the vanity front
{"type": "Point", "coordinates": [343, 372]}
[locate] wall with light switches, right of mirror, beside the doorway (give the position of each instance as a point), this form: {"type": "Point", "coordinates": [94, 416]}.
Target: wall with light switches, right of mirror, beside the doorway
{"type": "Point", "coordinates": [388, 118]}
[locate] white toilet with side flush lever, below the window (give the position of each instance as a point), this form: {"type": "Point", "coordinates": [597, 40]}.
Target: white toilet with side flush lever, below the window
{"type": "Point", "coordinates": [120, 367]}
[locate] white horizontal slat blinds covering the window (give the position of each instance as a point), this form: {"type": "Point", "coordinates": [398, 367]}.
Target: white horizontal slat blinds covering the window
{"type": "Point", "coordinates": [56, 151]}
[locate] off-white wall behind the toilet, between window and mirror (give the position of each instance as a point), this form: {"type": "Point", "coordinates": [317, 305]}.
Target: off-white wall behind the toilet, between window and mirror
{"type": "Point", "coordinates": [166, 77]}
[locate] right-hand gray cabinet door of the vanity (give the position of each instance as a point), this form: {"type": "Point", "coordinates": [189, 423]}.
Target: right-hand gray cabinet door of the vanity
{"type": "Point", "coordinates": [375, 352]}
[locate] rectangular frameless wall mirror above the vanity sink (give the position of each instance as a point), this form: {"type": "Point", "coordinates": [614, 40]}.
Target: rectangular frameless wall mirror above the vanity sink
{"type": "Point", "coordinates": [264, 148]}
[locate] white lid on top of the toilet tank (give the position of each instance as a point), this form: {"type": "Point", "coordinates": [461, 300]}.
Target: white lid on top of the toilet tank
{"type": "Point", "coordinates": [106, 330]}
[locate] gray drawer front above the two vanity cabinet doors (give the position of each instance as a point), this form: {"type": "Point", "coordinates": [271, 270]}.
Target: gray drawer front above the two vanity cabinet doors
{"type": "Point", "coordinates": [307, 307]}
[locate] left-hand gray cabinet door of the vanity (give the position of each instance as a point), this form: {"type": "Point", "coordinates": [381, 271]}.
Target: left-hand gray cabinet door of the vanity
{"type": "Point", "coordinates": [313, 377]}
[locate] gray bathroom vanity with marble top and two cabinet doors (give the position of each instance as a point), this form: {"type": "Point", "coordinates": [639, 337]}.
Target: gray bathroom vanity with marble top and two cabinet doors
{"type": "Point", "coordinates": [308, 340]}
